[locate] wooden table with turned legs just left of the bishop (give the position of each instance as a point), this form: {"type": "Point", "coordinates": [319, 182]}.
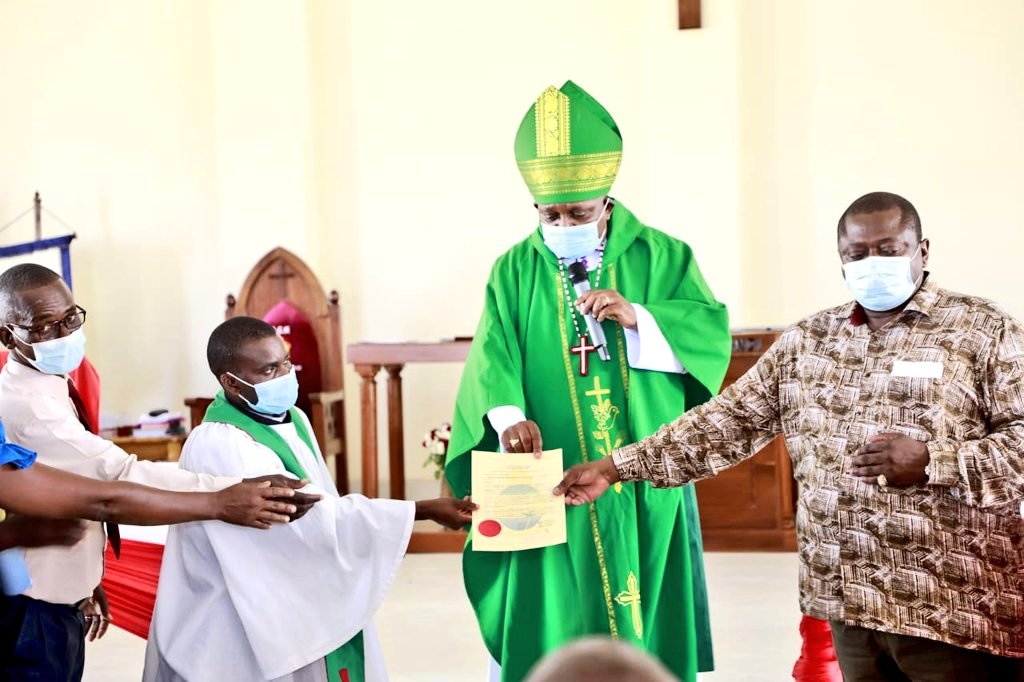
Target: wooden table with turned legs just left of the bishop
{"type": "Point", "coordinates": [369, 360]}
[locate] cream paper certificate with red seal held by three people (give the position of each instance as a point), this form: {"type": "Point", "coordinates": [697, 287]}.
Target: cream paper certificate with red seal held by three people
{"type": "Point", "coordinates": [518, 510]}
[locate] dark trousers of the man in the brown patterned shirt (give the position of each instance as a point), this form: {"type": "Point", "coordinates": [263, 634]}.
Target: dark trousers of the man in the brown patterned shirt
{"type": "Point", "coordinates": [870, 656]}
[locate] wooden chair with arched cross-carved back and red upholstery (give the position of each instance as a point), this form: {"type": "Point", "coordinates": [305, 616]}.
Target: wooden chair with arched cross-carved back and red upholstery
{"type": "Point", "coordinates": [282, 284]}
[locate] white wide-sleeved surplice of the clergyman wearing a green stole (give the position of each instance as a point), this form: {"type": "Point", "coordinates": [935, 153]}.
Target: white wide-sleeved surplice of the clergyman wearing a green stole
{"type": "Point", "coordinates": [242, 604]}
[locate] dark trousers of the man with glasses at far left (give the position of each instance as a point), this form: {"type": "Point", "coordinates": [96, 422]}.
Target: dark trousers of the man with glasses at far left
{"type": "Point", "coordinates": [40, 642]}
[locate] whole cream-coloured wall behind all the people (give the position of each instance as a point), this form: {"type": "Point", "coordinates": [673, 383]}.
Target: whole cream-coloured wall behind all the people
{"type": "Point", "coordinates": [185, 140]}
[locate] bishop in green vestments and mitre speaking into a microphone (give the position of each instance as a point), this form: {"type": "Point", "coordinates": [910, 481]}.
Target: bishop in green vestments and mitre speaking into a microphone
{"type": "Point", "coordinates": [633, 566]}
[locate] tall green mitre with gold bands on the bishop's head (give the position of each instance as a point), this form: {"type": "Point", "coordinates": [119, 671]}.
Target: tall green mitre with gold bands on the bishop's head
{"type": "Point", "coordinates": [569, 148]}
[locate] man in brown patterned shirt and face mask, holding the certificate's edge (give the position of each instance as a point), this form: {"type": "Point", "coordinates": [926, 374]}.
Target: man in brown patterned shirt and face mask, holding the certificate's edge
{"type": "Point", "coordinates": [904, 413]}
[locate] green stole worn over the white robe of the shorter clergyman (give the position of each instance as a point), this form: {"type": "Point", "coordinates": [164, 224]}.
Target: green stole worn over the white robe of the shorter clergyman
{"type": "Point", "coordinates": [346, 664]}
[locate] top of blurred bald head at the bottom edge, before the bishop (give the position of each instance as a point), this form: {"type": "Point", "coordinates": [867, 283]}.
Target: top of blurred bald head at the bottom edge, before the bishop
{"type": "Point", "coordinates": [600, 660]}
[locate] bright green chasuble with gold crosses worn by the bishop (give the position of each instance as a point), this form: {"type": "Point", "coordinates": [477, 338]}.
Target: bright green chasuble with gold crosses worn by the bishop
{"type": "Point", "coordinates": [633, 566]}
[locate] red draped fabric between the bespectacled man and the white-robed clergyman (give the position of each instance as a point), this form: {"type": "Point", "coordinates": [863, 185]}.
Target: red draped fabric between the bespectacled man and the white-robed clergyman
{"type": "Point", "coordinates": [131, 584]}
